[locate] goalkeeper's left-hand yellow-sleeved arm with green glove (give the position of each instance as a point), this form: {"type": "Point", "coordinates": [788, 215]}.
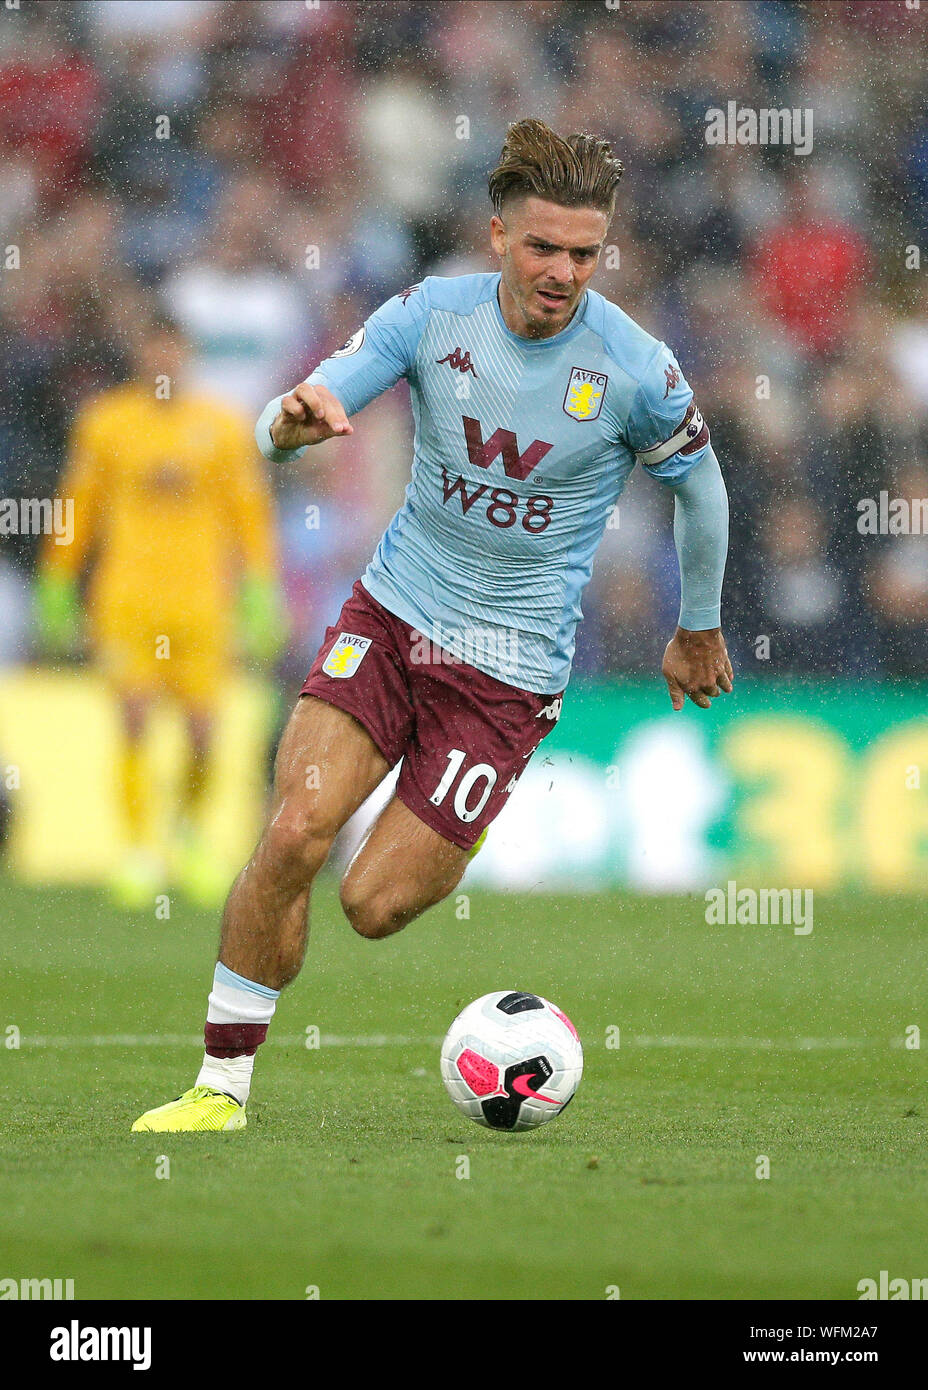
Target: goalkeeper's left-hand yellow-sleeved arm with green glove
{"type": "Point", "coordinates": [58, 603]}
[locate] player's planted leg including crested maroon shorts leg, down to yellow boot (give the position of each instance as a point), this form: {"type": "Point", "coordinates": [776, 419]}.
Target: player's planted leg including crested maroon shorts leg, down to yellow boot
{"type": "Point", "coordinates": [352, 725]}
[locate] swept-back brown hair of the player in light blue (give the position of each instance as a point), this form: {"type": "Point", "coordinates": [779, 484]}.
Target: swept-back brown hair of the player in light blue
{"type": "Point", "coordinates": [574, 172]}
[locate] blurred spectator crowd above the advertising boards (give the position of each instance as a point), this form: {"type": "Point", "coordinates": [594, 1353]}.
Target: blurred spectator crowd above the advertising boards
{"type": "Point", "coordinates": [269, 173]}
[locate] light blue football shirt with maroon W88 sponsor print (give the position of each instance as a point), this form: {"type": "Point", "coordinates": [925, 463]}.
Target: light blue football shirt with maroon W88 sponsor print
{"type": "Point", "coordinates": [523, 448]}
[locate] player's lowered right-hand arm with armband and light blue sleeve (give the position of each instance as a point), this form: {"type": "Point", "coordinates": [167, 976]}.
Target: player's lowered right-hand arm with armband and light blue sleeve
{"type": "Point", "coordinates": [672, 443]}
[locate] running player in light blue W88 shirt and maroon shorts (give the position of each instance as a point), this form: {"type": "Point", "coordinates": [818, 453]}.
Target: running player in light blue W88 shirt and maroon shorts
{"type": "Point", "coordinates": [534, 400]}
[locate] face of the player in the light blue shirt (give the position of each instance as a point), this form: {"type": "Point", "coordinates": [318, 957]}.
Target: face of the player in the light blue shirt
{"type": "Point", "coordinates": [547, 256]}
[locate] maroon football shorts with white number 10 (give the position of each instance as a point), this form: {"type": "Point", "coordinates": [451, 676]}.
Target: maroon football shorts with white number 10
{"type": "Point", "coordinates": [463, 736]}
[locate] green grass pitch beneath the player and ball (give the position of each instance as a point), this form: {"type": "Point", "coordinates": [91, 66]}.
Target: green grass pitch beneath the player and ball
{"type": "Point", "coordinates": [347, 1175]}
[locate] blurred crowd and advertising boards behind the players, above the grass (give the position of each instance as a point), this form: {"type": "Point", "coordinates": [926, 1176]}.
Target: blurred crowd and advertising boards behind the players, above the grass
{"type": "Point", "coordinates": [323, 156]}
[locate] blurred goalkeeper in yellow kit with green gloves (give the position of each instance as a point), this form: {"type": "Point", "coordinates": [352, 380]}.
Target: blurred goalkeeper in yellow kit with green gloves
{"type": "Point", "coordinates": [173, 530]}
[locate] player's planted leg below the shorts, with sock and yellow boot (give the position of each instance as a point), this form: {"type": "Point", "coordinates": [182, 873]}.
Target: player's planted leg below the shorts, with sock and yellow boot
{"type": "Point", "coordinates": [327, 765]}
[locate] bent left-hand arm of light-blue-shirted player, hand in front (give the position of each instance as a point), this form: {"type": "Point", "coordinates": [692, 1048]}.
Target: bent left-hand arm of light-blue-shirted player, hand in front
{"type": "Point", "coordinates": [372, 362]}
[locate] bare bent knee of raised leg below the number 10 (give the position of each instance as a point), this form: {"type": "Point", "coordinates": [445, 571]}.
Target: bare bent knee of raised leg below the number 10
{"type": "Point", "coordinates": [402, 868]}
